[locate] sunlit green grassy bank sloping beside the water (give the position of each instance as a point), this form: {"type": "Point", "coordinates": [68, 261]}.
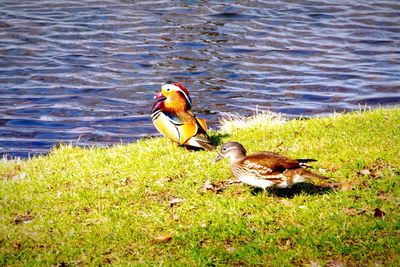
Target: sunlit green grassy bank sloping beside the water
{"type": "Point", "coordinates": [98, 206]}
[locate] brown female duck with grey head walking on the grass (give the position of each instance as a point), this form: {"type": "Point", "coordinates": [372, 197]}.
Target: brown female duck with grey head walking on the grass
{"type": "Point", "coordinates": [265, 169]}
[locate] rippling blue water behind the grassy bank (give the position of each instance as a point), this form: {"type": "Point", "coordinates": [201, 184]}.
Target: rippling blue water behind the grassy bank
{"type": "Point", "coordinates": [86, 71]}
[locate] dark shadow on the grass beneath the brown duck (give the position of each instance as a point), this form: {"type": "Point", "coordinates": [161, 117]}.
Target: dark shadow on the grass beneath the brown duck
{"type": "Point", "coordinates": [297, 189]}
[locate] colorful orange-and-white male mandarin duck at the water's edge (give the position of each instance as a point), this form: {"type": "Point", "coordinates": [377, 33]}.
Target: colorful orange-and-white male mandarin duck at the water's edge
{"type": "Point", "coordinates": [172, 117]}
